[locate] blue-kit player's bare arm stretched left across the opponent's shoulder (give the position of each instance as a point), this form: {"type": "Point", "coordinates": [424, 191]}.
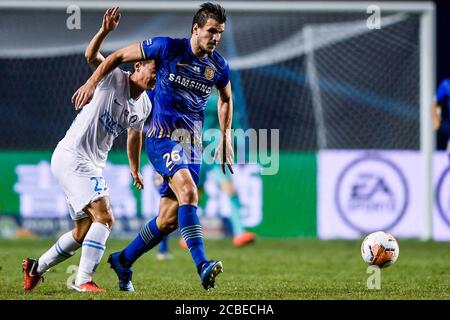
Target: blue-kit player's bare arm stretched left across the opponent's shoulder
{"type": "Point", "coordinates": [84, 94]}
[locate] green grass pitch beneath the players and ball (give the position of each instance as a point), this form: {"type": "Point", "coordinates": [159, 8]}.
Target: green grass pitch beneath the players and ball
{"type": "Point", "coordinates": [272, 269]}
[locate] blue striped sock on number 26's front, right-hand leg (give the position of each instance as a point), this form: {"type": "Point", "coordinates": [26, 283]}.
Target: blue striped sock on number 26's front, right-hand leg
{"type": "Point", "coordinates": [191, 230]}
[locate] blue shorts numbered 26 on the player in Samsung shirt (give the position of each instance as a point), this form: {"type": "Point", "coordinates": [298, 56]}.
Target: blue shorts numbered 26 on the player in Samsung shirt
{"type": "Point", "coordinates": [168, 156]}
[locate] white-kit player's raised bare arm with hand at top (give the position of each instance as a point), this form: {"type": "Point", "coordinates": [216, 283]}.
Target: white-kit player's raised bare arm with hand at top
{"type": "Point", "coordinates": [110, 22]}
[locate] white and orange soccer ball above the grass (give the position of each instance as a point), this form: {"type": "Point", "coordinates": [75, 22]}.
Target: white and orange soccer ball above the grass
{"type": "Point", "coordinates": [380, 249]}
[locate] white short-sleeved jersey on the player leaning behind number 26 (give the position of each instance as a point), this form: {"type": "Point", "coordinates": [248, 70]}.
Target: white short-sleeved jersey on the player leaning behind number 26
{"type": "Point", "coordinates": [110, 112]}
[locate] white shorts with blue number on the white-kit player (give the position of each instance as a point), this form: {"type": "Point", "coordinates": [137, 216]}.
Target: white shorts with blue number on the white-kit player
{"type": "Point", "coordinates": [80, 190]}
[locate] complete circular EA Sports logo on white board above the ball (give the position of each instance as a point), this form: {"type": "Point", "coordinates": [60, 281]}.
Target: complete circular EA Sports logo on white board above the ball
{"type": "Point", "coordinates": [371, 194]}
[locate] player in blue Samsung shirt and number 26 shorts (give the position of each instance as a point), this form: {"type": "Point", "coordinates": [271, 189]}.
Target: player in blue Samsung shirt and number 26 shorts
{"type": "Point", "coordinates": [187, 70]}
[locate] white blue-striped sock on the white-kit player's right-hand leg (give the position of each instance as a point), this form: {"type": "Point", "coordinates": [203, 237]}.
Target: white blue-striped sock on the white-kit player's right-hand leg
{"type": "Point", "coordinates": [92, 252]}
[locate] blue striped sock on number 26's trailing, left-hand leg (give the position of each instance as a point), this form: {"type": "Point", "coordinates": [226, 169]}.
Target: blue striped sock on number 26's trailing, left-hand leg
{"type": "Point", "coordinates": [148, 237]}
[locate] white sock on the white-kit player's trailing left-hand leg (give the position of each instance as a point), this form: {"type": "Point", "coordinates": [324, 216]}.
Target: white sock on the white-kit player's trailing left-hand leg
{"type": "Point", "coordinates": [63, 249]}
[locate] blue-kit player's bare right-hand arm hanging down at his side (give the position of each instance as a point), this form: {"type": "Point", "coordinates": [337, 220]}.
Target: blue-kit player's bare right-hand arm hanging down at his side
{"type": "Point", "coordinates": [225, 150]}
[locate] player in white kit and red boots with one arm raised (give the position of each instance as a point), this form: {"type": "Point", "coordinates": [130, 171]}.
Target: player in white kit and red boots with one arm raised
{"type": "Point", "coordinates": [119, 104]}
